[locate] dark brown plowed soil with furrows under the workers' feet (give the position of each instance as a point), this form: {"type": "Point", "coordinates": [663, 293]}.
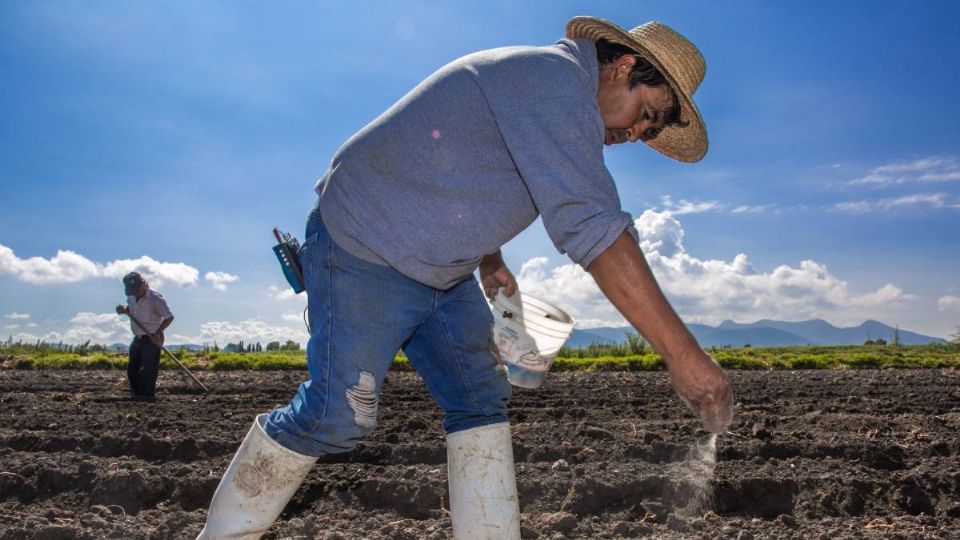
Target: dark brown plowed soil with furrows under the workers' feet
{"type": "Point", "coordinates": [814, 454]}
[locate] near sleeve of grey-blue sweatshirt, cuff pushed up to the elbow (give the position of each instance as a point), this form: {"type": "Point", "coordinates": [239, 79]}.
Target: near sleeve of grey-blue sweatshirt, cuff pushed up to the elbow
{"type": "Point", "coordinates": [557, 147]}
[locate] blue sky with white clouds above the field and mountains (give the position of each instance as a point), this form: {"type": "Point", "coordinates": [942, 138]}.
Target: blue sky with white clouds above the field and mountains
{"type": "Point", "coordinates": [170, 137]}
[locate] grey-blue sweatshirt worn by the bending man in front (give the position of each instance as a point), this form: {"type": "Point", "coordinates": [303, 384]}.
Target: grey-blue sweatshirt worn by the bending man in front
{"type": "Point", "coordinates": [470, 157]}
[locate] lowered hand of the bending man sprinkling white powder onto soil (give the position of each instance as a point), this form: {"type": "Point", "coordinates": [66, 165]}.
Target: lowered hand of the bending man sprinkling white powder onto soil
{"type": "Point", "coordinates": [702, 385]}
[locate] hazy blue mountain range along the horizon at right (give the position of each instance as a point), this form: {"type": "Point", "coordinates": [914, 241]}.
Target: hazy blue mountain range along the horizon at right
{"type": "Point", "coordinates": [767, 333]}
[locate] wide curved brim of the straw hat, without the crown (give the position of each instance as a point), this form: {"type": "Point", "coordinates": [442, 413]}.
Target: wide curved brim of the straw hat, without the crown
{"type": "Point", "coordinates": [688, 144]}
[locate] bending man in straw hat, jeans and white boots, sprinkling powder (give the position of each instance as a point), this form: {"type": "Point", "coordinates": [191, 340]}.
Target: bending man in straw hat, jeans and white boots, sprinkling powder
{"type": "Point", "coordinates": [425, 195]}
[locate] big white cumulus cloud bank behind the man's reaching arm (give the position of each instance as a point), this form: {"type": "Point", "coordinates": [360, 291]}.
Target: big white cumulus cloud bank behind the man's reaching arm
{"type": "Point", "coordinates": [711, 290]}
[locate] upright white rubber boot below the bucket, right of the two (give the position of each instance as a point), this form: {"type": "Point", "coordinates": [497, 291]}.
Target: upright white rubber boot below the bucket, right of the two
{"type": "Point", "coordinates": [483, 485]}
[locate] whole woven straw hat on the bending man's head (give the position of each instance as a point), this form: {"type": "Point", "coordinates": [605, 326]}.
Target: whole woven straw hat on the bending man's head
{"type": "Point", "coordinates": [680, 63]}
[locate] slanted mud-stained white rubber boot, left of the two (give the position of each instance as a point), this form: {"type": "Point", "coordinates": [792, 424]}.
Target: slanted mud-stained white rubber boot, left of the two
{"type": "Point", "coordinates": [256, 487]}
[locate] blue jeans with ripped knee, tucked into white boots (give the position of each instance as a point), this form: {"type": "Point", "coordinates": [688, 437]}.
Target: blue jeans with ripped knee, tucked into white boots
{"type": "Point", "coordinates": [360, 315]}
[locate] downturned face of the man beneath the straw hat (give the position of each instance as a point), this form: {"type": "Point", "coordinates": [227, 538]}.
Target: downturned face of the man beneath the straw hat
{"type": "Point", "coordinates": [631, 114]}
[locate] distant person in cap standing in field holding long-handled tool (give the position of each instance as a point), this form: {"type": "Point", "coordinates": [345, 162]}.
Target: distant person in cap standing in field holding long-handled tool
{"type": "Point", "coordinates": [150, 309]}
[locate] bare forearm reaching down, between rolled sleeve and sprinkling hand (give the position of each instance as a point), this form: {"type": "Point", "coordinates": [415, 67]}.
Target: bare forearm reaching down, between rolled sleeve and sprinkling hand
{"type": "Point", "coordinates": [624, 276]}
